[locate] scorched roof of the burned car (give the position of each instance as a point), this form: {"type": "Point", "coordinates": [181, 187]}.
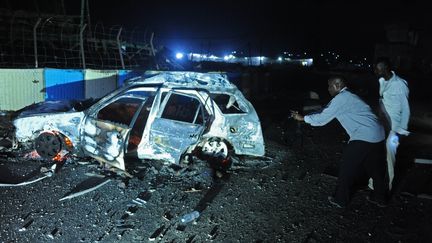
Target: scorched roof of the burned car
{"type": "Point", "coordinates": [211, 81]}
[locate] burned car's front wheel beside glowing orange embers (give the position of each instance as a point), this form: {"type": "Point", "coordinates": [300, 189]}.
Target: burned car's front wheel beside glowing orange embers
{"type": "Point", "coordinates": [48, 145]}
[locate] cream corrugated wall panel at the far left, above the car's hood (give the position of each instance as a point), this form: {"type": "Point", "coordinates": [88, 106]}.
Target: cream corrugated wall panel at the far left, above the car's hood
{"type": "Point", "coordinates": [20, 87]}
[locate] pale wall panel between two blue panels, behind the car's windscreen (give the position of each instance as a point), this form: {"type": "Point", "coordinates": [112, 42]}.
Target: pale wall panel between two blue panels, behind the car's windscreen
{"type": "Point", "coordinates": [99, 82]}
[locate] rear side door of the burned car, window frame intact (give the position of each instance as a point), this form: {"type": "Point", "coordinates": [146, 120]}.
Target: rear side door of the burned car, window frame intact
{"type": "Point", "coordinates": [179, 124]}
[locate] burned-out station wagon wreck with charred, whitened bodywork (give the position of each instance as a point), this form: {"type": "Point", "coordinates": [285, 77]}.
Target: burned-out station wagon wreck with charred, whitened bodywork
{"type": "Point", "coordinates": [166, 116]}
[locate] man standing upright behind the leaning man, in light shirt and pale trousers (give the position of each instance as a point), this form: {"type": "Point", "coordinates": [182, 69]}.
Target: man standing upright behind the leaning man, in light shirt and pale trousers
{"type": "Point", "coordinates": [394, 106]}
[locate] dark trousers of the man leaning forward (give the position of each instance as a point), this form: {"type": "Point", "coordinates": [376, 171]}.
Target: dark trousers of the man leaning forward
{"type": "Point", "coordinates": [359, 157]}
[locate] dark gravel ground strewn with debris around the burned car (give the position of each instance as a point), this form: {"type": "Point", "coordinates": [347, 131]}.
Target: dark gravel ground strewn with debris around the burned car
{"type": "Point", "coordinates": [281, 201]}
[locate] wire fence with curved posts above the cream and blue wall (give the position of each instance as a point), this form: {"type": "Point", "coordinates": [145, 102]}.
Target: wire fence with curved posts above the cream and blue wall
{"type": "Point", "coordinates": [60, 41]}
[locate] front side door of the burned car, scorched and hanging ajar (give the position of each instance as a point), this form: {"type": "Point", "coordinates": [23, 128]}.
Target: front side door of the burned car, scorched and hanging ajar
{"type": "Point", "coordinates": [106, 130]}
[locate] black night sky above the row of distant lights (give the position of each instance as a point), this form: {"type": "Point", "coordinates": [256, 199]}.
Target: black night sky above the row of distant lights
{"type": "Point", "coordinates": [263, 27]}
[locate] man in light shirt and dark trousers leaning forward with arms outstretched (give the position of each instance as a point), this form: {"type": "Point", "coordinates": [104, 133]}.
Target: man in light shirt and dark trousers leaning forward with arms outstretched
{"type": "Point", "coordinates": [365, 149]}
